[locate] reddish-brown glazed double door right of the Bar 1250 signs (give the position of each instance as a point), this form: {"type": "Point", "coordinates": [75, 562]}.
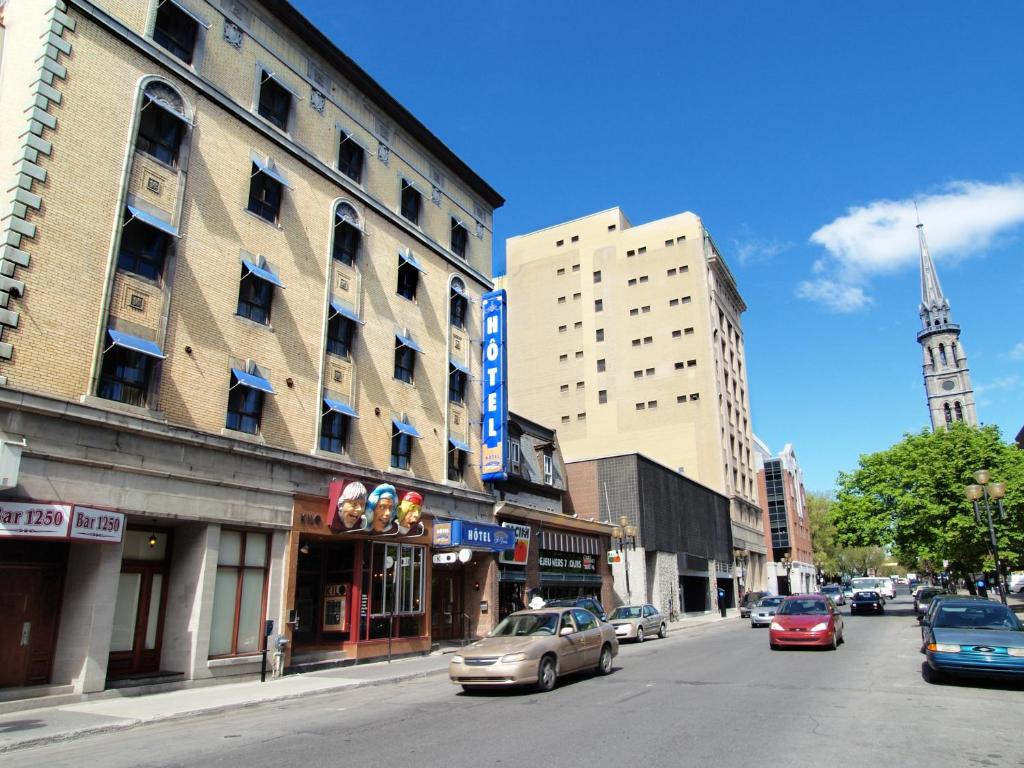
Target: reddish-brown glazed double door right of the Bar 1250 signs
{"type": "Point", "coordinates": [139, 613]}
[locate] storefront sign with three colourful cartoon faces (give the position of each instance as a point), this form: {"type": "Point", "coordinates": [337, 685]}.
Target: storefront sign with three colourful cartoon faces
{"type": "Point", "coordinates": [353, 510]}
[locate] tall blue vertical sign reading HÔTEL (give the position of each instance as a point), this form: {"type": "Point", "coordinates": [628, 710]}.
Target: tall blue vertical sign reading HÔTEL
{"type": "Point", "coordinates": [496, 407]}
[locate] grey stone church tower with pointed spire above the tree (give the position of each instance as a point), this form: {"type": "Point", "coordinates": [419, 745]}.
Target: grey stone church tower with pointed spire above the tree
{"type": "Point", "coordinates": [948, 380]}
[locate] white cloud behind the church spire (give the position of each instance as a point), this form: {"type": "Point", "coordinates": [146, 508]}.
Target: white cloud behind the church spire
{"type": "Point", "coordinates": [961, 220]}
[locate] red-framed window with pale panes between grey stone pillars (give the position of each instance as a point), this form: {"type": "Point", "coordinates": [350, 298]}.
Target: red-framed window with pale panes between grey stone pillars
{"type": "Point", "coordinates": [240, 594]}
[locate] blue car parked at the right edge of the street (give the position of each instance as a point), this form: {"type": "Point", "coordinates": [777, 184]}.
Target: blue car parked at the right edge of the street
{"type": "Point", "coordinates": [974, 638]}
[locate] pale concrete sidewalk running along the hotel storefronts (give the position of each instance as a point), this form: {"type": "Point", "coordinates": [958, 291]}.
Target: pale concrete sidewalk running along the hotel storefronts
{"type": "Point", "coordinates": [113, 710]}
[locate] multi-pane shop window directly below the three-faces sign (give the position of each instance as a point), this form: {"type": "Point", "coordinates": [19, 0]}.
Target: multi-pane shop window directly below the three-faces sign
{"type": "Point", "coordinates": [394, 581]}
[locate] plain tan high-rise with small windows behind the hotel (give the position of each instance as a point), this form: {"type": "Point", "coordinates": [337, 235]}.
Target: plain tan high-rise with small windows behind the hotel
{"type": "Point", "coordinates": [629, 339]}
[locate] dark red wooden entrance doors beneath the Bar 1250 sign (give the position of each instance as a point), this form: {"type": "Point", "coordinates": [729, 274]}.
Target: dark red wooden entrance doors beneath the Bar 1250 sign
{"type": "Point", "coordinates": [30, 606]}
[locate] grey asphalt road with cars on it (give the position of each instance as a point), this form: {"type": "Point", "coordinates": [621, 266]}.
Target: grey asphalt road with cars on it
{"type": "Point", "coordinates": [708, 696]}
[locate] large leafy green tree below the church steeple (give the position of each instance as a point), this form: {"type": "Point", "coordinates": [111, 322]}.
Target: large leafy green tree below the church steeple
{"type": "Point", "coordinates": [910, 499]}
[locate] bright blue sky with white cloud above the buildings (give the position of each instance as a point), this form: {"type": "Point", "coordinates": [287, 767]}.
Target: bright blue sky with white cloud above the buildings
{"type": "Point", "coordinates": [801, 133]}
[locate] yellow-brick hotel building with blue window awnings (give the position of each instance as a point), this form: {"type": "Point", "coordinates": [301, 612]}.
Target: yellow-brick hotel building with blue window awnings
{"type": "Point", "coordinates": [239, 283]}
